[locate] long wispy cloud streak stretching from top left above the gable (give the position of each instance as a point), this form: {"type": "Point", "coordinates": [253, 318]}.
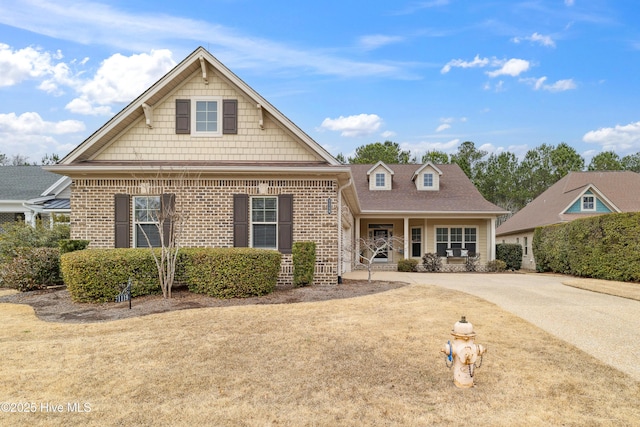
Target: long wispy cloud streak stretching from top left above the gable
{"type": "Point", "coordinates": [102, 24]}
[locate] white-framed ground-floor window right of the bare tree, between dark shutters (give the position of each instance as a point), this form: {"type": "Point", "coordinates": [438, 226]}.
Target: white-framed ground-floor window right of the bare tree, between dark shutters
{"type": "Point", "coordinates": [264, 222]}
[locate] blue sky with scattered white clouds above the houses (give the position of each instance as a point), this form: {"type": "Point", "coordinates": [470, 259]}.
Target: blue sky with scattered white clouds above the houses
{"type": "Point", "coordinates": [508, 75]}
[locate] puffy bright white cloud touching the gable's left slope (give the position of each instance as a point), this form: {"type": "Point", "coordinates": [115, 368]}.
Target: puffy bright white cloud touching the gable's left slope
{"type": "Point", "coordinates": [120, 79]}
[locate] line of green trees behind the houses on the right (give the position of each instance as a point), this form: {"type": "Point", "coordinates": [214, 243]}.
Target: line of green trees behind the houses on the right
{"type": "Point", "coordinates": [502, 178]}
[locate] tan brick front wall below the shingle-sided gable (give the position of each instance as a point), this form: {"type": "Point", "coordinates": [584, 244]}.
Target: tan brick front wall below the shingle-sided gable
{"type": "Point", "coordinates": [209, 206]}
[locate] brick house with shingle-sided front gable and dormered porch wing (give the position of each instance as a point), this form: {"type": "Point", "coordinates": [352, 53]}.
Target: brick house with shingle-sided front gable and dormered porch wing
{"type": "Point", "coordinates": [202, 140]}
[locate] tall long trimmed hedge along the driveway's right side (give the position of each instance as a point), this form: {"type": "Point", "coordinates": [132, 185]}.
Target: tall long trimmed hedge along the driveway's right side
{"type": "Point", "coordinates": [602, 247]}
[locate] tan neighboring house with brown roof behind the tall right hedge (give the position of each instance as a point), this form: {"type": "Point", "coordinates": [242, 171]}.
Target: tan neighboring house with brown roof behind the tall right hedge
{"type": "Point", "coordinates": [577, 195]}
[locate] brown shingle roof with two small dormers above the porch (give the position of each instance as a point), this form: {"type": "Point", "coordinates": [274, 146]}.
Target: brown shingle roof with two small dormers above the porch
{"type": "Point", "coordinates": [457, 193]}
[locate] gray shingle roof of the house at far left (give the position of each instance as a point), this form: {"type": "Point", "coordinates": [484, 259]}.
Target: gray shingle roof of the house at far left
{"type": "Point", "coordinates": [24, 182]}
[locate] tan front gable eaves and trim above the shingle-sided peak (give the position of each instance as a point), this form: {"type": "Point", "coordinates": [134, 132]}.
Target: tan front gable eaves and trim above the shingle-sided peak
{"type": "Point", "coordinates": [166, 85]}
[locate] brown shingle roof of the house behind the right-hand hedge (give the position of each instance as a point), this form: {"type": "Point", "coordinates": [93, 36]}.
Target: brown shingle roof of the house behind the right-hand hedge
{"type": "Point", "coordinates": [618, 188]}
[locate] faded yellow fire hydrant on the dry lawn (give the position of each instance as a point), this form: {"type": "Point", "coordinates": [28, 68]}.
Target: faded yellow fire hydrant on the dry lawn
{"type": "Point", "coordinates": [463, 353]}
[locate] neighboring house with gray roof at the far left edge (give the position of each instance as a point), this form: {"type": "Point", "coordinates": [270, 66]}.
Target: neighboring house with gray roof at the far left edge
{"type": "Point", "coordinates": [28, 193]}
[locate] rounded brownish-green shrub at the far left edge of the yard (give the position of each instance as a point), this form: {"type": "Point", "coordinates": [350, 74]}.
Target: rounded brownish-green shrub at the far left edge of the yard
{"type": "Point", "coordinates": [31, 269]}
